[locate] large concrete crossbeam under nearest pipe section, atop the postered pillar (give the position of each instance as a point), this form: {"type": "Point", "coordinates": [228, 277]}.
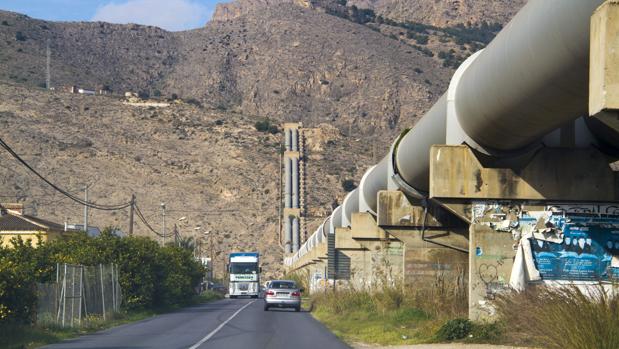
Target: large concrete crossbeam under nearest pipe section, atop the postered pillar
{"type": "Point", "coordinates": [552, 174]}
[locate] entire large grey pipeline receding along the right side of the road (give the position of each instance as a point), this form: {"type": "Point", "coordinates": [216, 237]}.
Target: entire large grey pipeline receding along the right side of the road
{"type": "Point", "coordinates": [530, 80]}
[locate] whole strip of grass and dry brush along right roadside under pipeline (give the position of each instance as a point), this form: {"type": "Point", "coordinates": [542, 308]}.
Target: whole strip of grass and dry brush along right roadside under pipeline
{"type": "Point", "coordinates": [541, 317]}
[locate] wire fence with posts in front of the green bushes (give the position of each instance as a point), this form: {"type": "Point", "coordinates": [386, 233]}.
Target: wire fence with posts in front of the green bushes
{"type": "Point", "coordinates": [81, 294]}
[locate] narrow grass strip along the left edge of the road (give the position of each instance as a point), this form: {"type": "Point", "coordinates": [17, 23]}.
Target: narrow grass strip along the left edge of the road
{"type": "Point", "coordinates": [24, 336]}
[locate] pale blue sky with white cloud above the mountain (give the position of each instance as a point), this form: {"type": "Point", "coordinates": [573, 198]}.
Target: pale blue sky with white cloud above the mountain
{"type": "Point", "coordinates": [169, 14]}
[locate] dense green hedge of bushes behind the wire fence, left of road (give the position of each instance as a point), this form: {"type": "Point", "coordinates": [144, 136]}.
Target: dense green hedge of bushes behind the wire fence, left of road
{"type": "Point", "coordinates": [151, 276]}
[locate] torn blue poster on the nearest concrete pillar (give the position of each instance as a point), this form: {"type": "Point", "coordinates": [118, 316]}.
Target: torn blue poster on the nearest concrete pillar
{"type": "Point", "coordinates": [586, 253]}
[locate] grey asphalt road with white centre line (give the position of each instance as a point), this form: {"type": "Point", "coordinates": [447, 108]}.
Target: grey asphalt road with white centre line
{"type": "Point", "coordinates": [226, 324]}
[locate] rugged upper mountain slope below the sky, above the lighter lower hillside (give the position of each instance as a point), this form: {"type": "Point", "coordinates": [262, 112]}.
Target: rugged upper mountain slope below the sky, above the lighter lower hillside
{"type": "Point", "coordinates": [279, 63]}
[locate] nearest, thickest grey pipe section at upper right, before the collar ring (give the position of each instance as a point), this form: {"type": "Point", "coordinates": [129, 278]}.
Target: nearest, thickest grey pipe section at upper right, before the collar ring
{"type": "Point", "coordinates": [532, 78]}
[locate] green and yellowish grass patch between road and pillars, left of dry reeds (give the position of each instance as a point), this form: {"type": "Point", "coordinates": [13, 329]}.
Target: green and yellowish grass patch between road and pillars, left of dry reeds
{"type": "Point", "coordinates": [388, 315]}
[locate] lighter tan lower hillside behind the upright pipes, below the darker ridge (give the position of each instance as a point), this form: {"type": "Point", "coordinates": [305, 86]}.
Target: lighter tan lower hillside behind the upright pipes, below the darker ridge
{"type": "Point", "coordinates": [214, 168]}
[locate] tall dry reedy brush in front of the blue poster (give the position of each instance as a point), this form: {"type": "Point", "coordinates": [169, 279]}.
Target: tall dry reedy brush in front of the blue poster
{"type": "Point", "coordinates": [561, 318]}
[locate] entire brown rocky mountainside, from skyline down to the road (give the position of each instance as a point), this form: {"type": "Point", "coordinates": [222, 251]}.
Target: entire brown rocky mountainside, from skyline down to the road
{"type": "Point", "coordinates": [354, 79]}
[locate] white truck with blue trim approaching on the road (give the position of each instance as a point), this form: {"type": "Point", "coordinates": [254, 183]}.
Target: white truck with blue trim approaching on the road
{"type": "Point", "coordinates": [244, 274]}
